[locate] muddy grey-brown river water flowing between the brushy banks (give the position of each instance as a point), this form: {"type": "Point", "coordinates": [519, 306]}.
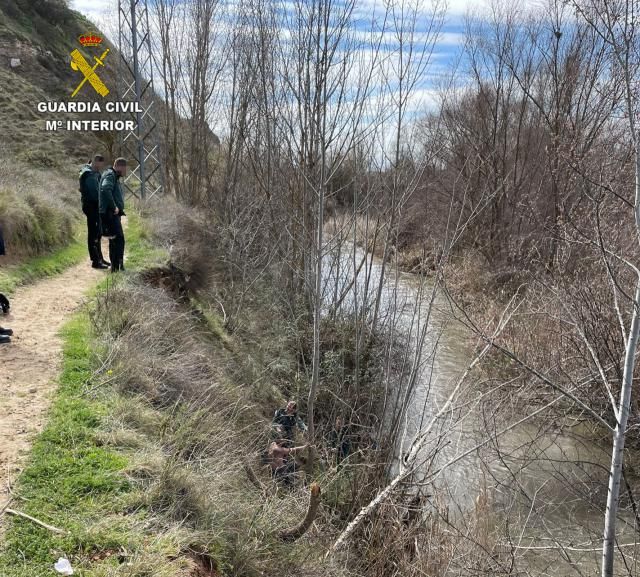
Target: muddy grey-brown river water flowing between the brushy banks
{"type": "Point", "coordinates": [539, 488]}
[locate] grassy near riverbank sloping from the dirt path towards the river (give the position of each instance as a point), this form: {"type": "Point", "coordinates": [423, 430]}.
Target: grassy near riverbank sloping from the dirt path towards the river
{"type": "Point", "coordinates": [143, 465]}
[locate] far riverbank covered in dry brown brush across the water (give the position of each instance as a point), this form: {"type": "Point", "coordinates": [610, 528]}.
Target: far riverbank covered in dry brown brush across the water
{"type": "Point", "coordinates": [542, 335]}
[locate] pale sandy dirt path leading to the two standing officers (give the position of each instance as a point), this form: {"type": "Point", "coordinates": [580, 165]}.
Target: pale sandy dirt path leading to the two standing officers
{"type": "Point", "coordinates": [30, 365]}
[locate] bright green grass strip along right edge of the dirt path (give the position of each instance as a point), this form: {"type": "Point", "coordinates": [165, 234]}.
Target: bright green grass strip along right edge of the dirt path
{"type": "Point", "coordinates": [71, 481]}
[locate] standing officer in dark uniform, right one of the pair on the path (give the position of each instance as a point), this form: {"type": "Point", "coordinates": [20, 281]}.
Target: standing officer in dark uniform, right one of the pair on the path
{"type": "Point", "coordinates": [112, 211]}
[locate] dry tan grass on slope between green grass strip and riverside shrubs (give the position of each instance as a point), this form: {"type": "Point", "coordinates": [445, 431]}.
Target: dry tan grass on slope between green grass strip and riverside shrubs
{"type": "Point", "coordinates": [188, 432]}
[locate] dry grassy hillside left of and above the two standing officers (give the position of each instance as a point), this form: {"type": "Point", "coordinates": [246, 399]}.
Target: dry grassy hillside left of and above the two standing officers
{"type": "Point", "coordinates": [38, 190]}
